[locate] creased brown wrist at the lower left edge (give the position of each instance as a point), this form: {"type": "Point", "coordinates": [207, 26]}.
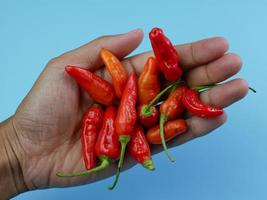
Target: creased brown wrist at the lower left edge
{"type": "Point", "coordinates": [12, 180]}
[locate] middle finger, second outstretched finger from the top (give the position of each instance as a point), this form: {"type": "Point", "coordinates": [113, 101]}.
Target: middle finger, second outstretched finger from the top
{"type": "Point", "coordinates": [214, 72]}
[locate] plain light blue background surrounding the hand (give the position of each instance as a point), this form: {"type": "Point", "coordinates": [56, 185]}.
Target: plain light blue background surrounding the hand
{"type": "Point", "coordinates": [230, 163]}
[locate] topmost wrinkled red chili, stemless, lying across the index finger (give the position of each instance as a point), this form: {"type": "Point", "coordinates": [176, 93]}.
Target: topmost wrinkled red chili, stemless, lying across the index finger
{"type": "Point", "coordinates": [166, 55]}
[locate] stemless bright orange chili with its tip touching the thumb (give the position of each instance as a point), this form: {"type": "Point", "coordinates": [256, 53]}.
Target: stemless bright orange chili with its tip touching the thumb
{"type": "Point", "coordinates": [116, 71]}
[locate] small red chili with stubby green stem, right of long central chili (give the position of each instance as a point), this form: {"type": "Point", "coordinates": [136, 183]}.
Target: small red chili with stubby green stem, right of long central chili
{"type": "Point", "coordinates": [139, 148]}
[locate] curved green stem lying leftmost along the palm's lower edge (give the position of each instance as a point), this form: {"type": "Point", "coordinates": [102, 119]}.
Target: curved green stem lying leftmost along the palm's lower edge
{"type": "Point", "coordinates": [105, 162]}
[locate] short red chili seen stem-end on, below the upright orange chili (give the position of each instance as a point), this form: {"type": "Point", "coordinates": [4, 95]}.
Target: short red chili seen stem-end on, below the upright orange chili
{"type": "Point", "coordinates": [149, 120]}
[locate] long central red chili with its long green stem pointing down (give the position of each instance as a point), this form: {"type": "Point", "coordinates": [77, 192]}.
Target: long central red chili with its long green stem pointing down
{"type": "Point", "coordinates": [126, 118]}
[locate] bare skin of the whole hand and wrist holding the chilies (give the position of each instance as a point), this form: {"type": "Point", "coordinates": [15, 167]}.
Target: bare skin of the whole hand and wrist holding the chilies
{"type": "Point", "coordinates": [43, 136]}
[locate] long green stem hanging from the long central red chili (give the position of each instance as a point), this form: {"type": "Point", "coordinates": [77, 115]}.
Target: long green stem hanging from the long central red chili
{"type": "Point", "coordinates": [124, 139]}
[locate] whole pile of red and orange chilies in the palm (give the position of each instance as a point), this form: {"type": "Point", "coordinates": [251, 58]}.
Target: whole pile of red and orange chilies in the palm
{"type": "Point", "coordinates": [147, 114]}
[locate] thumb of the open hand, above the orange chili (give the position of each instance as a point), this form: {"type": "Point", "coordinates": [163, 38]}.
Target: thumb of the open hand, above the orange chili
{"type": "Point", "coordinates": [88, 55]}
